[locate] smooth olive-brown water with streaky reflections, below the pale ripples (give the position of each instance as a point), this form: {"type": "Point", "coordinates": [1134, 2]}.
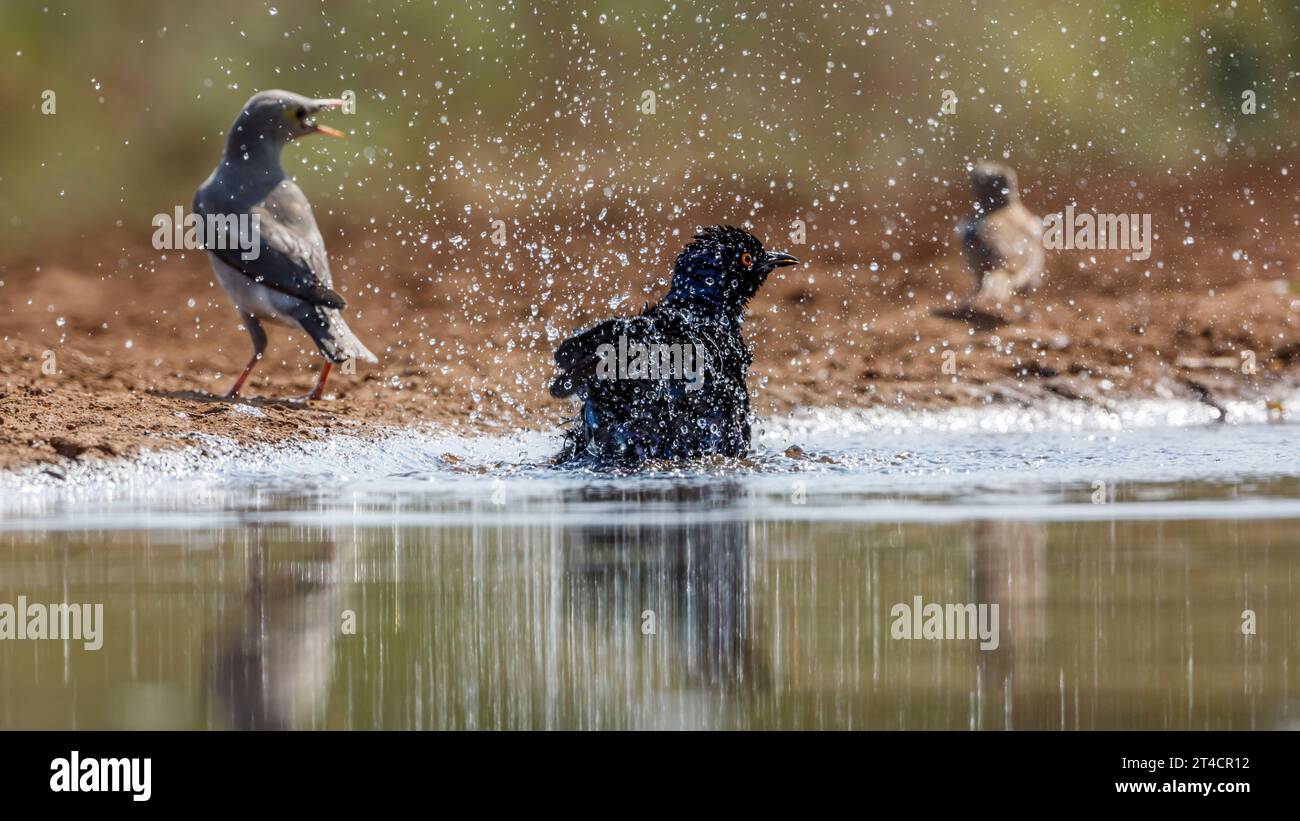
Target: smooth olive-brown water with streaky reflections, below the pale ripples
{"type": "Point", "coordinates": [538, 614]}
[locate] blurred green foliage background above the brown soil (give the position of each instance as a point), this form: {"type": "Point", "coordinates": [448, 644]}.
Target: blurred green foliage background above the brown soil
{"type": "Point", "coordinates": [531, 110]}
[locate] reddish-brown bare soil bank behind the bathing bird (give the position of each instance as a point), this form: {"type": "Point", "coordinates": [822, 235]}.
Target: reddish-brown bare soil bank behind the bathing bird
{"type": "Point", "coordinates": [137, 366]}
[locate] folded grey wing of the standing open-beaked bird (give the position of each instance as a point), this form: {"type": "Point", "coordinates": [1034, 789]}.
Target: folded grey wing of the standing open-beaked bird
{"type": "Point", "coordinates": [288, 260]}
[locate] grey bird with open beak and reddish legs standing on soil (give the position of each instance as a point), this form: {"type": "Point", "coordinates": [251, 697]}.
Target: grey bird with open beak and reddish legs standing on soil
{"type": "Point", "coordinates": [278, 270]}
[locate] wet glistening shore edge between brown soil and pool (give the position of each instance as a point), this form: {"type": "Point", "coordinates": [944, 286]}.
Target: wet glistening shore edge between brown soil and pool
{"type": "Point", "coordinates": [207, 437]}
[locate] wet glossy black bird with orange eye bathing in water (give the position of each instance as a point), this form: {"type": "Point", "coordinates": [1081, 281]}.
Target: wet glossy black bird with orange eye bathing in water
{"type": "Point", "coordinates": [670, 384]}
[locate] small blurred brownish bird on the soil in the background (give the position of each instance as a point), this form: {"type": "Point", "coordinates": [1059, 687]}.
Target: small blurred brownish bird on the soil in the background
{"type": "Point", "coordinates": [1002, 237]}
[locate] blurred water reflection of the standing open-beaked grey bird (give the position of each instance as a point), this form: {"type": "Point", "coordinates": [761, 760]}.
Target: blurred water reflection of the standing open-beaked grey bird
{"type": "Point", "coordinates": [272, 661]}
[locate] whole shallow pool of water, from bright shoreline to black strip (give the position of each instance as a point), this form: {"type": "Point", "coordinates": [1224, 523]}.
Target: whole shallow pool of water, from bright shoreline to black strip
{"type": "Point", "coordinates": [492, 590]}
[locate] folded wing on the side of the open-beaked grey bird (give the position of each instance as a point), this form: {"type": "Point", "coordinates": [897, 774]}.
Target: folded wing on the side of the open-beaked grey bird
{"type": "Point", "coordinates": [291, 251]}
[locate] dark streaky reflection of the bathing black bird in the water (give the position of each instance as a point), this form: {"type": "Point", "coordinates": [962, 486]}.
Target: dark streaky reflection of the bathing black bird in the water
{"type": "Point", "coordinates": [669, 567]}
